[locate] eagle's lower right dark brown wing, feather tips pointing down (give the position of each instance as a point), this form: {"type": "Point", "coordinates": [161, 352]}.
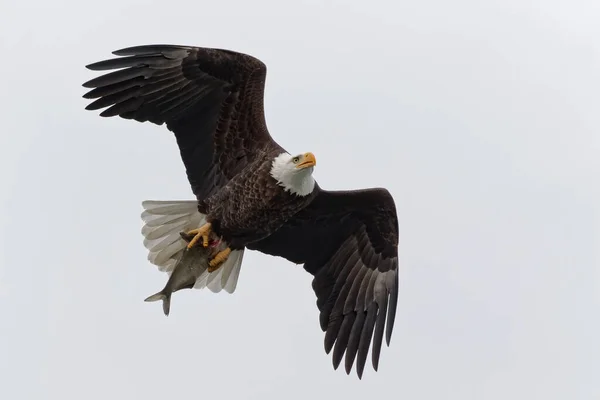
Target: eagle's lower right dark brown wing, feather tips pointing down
{"type": "Point", "coordinates": [349, 241]}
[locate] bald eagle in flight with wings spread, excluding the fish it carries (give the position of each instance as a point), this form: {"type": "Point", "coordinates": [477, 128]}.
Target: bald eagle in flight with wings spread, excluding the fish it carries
{"type": "Point", "coordinates": [254, 194]}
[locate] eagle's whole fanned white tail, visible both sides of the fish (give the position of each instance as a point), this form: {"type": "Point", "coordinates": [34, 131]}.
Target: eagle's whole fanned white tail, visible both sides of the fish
{"type": "Point", "coordinates": [163, 221]}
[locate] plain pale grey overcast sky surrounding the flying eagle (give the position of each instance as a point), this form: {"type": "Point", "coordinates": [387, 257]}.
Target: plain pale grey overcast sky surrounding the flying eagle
{"type": "Point", "coordinates": [480, 117]}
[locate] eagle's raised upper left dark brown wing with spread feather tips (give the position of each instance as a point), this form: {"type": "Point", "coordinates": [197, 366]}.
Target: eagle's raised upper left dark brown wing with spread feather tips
{"type": "Point", "coordinates": [211, 99]}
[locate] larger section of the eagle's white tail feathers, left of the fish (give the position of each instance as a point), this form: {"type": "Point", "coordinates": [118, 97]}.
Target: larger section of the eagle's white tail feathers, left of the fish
{"type": "Point", "coordinates": [164, 220]}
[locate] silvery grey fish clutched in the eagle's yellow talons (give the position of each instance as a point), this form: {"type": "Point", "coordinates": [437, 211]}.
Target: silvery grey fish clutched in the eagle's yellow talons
{"type": "Point", "coordinates": [192, 263]}
